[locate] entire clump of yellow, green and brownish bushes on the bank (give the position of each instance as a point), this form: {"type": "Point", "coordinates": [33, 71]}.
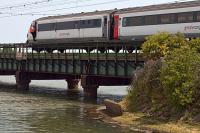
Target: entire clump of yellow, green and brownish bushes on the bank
{"type": "Point", "coordinates": [170, 77]}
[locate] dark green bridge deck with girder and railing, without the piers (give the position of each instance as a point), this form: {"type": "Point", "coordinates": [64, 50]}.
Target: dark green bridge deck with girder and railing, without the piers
{"type": "Point", "coordinates": [73, 61]}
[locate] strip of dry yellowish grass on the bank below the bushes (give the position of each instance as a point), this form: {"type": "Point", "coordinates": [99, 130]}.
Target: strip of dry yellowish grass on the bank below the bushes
{"type": "Point", "coordinates": [143, 121]}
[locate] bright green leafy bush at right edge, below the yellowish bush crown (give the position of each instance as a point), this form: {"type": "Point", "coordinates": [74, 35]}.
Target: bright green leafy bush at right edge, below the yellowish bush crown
{"type": "Point", "coordinates": [178, 76]}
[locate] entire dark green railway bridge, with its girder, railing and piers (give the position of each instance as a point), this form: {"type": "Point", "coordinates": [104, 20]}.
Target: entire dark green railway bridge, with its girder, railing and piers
{"type": "Point", "coordinates": [73, 64]}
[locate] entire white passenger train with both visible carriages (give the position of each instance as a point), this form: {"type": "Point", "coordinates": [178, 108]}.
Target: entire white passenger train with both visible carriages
{"type": "Point", "coordinates": [124, 24]}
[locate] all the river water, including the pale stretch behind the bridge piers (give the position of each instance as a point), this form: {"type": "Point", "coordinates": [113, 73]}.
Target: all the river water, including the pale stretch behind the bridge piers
{"type": "Point", "coordinates": [48, 108]}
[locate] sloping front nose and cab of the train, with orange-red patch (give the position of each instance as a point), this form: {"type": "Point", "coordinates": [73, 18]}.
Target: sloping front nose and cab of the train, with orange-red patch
{"type": "Point", "coordinates": [31, 36]}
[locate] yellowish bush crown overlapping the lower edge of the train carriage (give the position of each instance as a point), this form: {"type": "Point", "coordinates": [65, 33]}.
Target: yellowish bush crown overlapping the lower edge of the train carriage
{"type": "Point", "coordinates": [160, 44]}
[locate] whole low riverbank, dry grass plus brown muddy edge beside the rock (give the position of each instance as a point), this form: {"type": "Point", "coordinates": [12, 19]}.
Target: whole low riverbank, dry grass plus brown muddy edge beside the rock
{"type": "Point", "coordinates": [140, 122]}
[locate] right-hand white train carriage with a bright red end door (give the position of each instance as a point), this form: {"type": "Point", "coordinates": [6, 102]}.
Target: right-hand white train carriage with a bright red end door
{"type": "Point", "coordinates": [136, 23]}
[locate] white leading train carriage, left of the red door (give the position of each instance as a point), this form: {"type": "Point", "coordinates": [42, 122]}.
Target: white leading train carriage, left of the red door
{"type": "Point", "coordinates": [74, 27]}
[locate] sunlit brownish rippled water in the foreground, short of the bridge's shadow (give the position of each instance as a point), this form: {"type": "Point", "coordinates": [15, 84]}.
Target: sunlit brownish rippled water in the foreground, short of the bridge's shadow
{"type": "Point", "coordinates": [35, 113]}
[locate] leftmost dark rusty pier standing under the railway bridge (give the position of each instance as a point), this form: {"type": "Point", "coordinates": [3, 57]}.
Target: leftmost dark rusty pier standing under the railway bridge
{"type": "Point", "coordinates": [22, 81]}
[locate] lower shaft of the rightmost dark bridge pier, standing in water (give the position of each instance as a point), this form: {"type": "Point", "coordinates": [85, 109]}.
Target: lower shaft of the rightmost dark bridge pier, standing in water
{"type": "Point", "coordinates": [90, 91]}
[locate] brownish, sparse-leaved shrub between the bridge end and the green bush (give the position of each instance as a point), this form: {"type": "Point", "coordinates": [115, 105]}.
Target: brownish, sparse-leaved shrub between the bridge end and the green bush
{"type": "Point", "coordinates": [146, 89]}
